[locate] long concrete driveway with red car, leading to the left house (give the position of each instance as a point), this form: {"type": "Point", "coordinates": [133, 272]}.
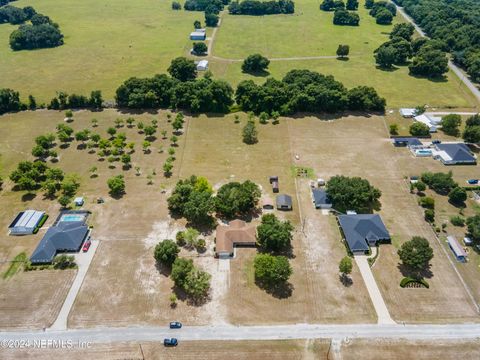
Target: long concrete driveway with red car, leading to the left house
{"type": "Point", "coordinates": [83, 261]}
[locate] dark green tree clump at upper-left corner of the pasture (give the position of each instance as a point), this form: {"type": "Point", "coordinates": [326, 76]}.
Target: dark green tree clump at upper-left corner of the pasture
{"type": "Point", "coordinates": [42, 32]}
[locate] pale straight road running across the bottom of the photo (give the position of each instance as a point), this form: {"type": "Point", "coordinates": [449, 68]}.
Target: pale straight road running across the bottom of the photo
{"type": "Point", "coordinates": [230, 332]}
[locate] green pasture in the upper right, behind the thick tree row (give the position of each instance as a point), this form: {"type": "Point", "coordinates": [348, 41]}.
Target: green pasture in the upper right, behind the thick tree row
{"type": "Point", "coordinates": [310, 32]}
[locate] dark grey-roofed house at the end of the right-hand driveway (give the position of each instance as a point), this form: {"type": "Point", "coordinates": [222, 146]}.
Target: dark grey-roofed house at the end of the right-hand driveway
{"type": "Point", "coordinates": [362, 231]}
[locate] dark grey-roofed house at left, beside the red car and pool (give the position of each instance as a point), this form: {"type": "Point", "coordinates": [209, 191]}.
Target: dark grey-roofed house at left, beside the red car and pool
{"type": "Point", "coordinates": [66, 236]}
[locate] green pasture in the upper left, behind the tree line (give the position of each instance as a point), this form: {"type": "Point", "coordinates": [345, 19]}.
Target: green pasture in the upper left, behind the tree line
{"type": "Point", "coordinates": [105, 43]}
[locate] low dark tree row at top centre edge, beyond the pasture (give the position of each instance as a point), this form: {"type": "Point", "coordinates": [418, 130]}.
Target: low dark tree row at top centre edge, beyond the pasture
{"type": "Point", "coordinates": [255, 7]}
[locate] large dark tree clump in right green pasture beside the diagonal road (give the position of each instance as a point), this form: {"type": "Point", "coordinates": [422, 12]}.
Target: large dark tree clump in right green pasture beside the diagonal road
{"type": "Point", "coordinates": [427, 56]}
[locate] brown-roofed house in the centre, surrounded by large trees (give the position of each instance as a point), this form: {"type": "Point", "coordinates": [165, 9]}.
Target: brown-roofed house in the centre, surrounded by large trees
{"type": "Point", "coordinates": [236, 233]}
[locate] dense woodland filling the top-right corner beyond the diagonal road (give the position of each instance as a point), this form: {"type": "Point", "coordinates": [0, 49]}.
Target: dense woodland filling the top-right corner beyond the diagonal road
{"type": "Point", "coordinates": [455, 23]}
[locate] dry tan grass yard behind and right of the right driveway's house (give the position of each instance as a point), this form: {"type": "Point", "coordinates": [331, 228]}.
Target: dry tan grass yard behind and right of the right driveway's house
{"type": "Point", "coordinates": [357, 146]}
